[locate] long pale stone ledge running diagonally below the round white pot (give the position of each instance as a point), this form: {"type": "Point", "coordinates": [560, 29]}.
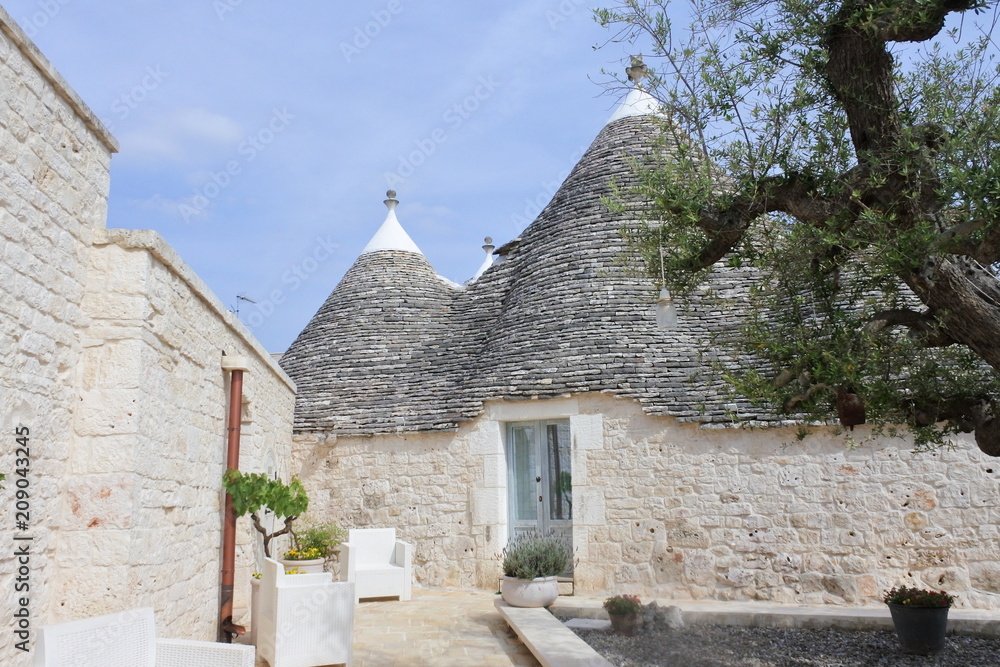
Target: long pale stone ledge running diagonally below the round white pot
{"type": "Point", "coordinates": [551, 642]}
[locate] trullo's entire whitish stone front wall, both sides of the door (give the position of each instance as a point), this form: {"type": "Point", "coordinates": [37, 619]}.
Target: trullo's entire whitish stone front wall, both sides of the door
{"type": "Point", "coordinates": [669, 510]}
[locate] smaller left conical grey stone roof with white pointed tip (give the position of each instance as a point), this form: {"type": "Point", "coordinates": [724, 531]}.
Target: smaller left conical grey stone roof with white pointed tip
{"type": "Point", "coordinates": [370, 359]}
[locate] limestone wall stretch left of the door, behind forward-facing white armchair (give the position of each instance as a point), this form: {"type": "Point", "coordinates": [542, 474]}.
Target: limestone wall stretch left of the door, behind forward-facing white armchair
{"type": "Point", "coordinates": [418, 484]}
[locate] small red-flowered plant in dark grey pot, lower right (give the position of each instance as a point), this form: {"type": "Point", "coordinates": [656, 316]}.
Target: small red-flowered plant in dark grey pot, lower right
{"type": "Point", "coordinates": [920, 618]}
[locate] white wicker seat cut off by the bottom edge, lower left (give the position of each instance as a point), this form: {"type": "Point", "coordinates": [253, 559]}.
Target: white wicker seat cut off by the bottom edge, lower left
{"type": "Point", "coordinates": [128, 639]}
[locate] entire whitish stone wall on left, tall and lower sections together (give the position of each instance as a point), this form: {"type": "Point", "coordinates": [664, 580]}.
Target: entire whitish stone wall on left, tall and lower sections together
{"type": "Point", "coordinates": [110, 353]}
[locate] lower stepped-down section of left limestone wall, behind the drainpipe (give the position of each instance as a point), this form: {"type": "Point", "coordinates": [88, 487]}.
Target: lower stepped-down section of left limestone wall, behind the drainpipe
{"type": "Point", "coordinates": [142, 501]}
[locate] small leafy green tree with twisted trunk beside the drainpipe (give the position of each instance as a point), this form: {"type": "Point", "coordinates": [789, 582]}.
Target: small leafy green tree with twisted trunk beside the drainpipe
{"type": "Point", "coordinates": [254, 491]}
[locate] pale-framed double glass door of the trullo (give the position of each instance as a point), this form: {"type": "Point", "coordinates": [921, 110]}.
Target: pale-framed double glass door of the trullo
{"type": "Point", "coordinates": [540, 479]}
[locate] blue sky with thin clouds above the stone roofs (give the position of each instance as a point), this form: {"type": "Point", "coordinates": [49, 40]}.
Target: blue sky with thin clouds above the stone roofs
{"type": "Point", "coordinates": [259, 138]}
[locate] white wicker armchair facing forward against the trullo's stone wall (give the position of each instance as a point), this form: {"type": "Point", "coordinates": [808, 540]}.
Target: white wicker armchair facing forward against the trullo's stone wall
{"type": "Point", "coordinates": [377, 563]}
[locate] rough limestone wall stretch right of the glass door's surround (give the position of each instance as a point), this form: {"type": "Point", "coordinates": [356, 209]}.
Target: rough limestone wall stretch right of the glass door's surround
{"type": "Point", "coordinates": [757, 515]}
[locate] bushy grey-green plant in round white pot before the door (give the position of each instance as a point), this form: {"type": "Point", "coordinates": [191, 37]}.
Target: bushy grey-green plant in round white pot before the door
{"type": "Point", "coordinates": [531, 564]}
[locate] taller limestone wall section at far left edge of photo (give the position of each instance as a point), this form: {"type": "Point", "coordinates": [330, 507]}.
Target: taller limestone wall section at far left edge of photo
{"type": "Point", "coordinates": [54, 161]}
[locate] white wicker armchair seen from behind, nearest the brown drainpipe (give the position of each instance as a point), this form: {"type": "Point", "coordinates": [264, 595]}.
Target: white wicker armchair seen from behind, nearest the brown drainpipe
{"type": "Point", "coordinates": [305, 619]}
